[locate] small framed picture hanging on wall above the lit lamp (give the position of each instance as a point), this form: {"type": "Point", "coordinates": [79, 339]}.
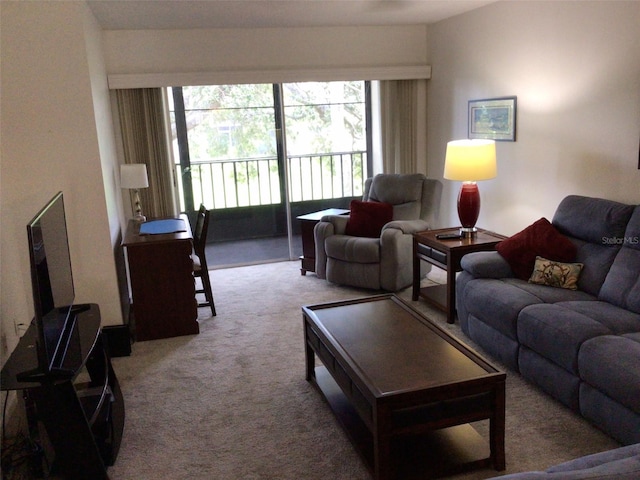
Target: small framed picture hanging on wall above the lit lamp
{"type": "Point", "coordinates": [493, 118]}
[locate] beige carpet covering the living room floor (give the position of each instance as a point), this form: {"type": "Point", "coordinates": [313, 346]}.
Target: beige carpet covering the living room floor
{"type": "Point", "coordinates": [232, 402]}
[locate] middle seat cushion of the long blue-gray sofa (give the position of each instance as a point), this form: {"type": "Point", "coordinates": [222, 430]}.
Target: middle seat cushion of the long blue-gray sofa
{"type": "Point", "coordinates": [556, 333]}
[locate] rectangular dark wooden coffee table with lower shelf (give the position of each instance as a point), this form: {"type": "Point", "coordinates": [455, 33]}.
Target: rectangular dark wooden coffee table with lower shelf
{"type": "Point", "coordinates": [404, 389]}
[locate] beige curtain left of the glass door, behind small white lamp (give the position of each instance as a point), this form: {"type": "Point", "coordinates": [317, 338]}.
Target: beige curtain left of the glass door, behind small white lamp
{"type": "Point", "coordinates": [144, 137]}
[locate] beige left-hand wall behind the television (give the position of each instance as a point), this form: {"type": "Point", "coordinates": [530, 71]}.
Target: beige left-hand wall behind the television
{"type": "Point", "coordinates": [50, 142]}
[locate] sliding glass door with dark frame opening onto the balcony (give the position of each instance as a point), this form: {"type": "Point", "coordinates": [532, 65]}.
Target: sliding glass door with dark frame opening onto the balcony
{"type": "Point", "coordinates": [261, 155]}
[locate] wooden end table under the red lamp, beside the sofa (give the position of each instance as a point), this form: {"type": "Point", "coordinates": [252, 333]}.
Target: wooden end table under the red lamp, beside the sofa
{"type": "Point", "coordinates": [446, 254]}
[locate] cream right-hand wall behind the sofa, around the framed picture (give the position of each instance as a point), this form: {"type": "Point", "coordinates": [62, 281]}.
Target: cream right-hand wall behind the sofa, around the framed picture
{"type": "Point", "coordinates": [575, 68]}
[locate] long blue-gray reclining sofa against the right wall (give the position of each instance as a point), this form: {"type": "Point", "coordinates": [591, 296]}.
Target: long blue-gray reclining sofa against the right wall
{"type": "Point", "coordinates": [581, 346]}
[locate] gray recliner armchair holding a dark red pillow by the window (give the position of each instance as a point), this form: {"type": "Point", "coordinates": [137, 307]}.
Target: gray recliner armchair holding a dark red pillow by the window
{"type": "Point", "coordinates": [386, 262]}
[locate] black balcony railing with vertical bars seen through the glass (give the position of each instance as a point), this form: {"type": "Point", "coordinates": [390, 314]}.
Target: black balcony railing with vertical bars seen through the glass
{"type": "Point", "coordinates": [221, 184]}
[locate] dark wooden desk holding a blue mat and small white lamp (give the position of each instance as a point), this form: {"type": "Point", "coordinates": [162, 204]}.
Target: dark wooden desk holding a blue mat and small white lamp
{"type": "Point", "coordinates": [162, 283]}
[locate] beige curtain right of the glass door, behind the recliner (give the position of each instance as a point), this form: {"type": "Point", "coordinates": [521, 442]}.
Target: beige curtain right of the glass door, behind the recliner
{"type": "Point", "coordinates": [403, 113]}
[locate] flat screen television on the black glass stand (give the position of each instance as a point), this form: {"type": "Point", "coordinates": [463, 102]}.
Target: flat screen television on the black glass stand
{"type": "Point", "coordinates": [53, 289]}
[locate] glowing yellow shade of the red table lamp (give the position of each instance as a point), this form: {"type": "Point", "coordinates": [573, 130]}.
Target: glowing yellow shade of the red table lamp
{"type": "Point", "coordinates": [470, 160]}
